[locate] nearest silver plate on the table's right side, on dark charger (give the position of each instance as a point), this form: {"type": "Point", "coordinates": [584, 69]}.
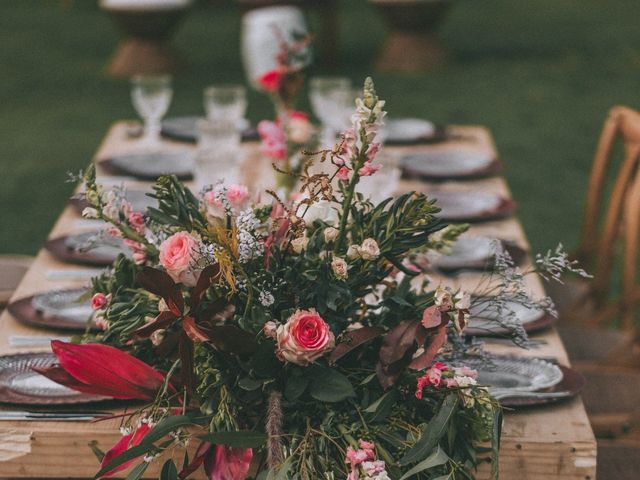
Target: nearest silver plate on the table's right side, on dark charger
{"type": "Point", "coordinates": [518, 373]}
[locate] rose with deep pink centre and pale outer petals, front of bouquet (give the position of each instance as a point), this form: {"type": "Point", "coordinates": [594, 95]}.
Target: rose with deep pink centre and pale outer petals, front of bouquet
{"type": "Point", "coordinates": [304, 338]}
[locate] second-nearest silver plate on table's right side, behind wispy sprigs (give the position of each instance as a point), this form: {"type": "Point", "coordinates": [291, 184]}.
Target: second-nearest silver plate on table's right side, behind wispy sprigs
{"type": "Point", "coordinates": [488, 317]}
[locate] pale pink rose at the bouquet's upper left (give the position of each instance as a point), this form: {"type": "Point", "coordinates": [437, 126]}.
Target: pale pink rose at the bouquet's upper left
{"type": "Point", "coordinates": [177, 254]}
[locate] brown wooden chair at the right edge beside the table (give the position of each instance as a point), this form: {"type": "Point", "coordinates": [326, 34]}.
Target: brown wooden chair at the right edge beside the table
{"type": "Point", "coordinates": [584, 305]}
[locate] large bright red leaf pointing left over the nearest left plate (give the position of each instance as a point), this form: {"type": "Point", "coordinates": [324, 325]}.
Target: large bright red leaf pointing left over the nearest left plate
{"type": "Point", "coordinates": [110, 369]}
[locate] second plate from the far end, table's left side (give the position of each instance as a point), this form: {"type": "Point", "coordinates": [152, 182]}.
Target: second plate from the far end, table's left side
{"type": "Point", "coordinates": [150, 165]}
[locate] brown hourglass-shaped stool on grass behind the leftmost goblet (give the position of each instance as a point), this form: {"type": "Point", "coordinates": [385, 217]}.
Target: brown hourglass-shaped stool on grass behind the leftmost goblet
{"type": "Point", "coordinates": [147, 27]}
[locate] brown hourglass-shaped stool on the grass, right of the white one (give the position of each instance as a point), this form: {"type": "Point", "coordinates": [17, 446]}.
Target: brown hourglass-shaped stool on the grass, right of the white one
{"type": "Point", "coordinates": [412, 44]}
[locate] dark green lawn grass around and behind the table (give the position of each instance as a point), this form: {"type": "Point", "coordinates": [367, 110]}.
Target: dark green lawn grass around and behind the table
{"type": "Point", "coordinates": [541, 74]}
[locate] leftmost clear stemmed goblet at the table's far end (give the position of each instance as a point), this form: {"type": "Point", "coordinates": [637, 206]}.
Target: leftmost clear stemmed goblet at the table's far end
{"type": "Point", "coordinates": [151, 97]}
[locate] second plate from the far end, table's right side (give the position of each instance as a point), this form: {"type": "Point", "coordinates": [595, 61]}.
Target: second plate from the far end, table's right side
{"type": "Point", "coordinates": [442, 164]}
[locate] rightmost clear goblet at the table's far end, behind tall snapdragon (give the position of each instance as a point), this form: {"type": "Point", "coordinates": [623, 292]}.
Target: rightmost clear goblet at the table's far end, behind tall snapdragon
{"type": "Point", "coordinates": [330, 97]}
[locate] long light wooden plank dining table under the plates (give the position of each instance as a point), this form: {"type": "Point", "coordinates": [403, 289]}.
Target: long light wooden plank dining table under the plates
{"type": "Point", "coordinates": [553, 442]}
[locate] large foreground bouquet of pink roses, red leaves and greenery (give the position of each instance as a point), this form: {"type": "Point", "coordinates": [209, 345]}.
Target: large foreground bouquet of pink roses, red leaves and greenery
{"type": "Point", "coordinates": [283, 345]}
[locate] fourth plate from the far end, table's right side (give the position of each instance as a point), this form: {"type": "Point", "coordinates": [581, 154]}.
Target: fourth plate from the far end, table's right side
{"type": "Point", "coordinates": [471, 252]}
